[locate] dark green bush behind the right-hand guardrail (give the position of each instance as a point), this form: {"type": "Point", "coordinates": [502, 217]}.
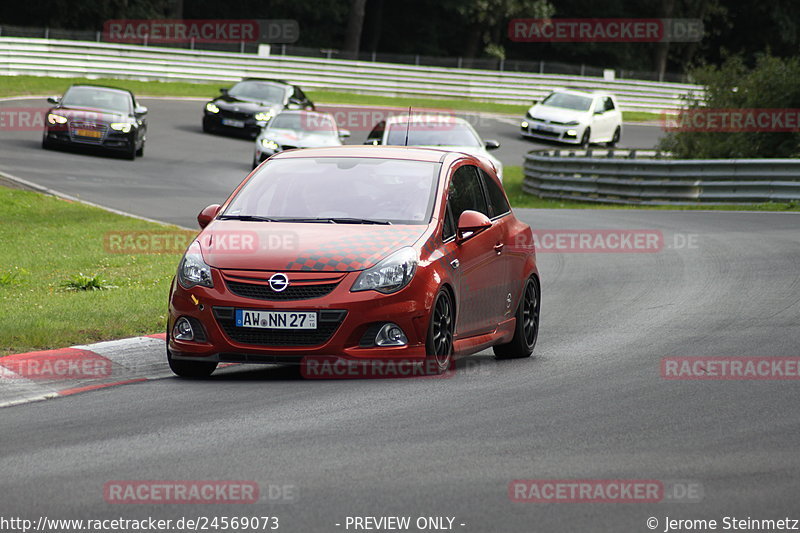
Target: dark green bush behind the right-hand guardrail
{"type": "Point", "coordinates": [773, 84]}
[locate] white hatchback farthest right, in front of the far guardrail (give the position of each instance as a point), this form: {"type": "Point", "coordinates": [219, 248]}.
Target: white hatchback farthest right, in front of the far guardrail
{"type": "Point", "coordinates": [574, 117]}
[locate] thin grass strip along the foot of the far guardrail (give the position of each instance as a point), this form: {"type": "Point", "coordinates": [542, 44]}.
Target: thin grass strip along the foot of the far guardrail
{"type": "Point", "coordinates": [39, 85]}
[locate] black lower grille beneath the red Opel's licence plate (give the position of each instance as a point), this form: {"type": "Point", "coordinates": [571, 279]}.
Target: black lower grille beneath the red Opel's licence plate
{"type": "Point", "coordinates": [327, 324]}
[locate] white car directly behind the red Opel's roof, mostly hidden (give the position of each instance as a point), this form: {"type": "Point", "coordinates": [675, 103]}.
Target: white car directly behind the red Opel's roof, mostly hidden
{"type": "Point", "coordinates": [439, 131]}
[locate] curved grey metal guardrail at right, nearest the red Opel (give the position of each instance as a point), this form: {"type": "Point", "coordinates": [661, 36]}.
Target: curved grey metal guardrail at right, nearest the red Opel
{"type": "Point", "coordinates": [648, 178]}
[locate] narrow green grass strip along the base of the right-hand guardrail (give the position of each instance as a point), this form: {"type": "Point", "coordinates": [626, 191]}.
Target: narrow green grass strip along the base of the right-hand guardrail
{"type": "Point", "coordinates": [512, 182]}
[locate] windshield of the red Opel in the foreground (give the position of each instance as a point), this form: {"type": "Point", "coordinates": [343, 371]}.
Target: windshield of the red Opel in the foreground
{"type": "Point", "coordinates": [397, 191]}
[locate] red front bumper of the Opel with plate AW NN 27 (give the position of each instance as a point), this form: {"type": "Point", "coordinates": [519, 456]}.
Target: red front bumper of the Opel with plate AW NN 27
{"type": "Point", "coordinates": [346, 322]}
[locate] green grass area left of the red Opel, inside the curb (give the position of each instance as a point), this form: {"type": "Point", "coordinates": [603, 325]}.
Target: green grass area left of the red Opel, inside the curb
{"type": "Point", "coordinates": [51, 245]}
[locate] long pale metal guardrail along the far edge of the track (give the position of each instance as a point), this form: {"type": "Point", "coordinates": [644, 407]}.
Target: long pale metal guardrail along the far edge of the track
{"type": "Point", "coordinates": [47, 57]}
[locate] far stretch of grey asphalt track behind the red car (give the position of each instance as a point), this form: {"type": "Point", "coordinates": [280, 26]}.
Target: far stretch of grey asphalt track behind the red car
{"type": "Point", "coordinates": [183, 169]}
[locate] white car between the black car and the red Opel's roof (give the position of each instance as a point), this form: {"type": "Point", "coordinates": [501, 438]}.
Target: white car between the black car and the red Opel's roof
{"type": "Point", "coordinates": [297, 129]}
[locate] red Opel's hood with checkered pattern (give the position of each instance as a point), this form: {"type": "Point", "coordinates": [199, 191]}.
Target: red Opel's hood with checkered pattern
{"type": "Point", "coordinates": [275, 246]}
